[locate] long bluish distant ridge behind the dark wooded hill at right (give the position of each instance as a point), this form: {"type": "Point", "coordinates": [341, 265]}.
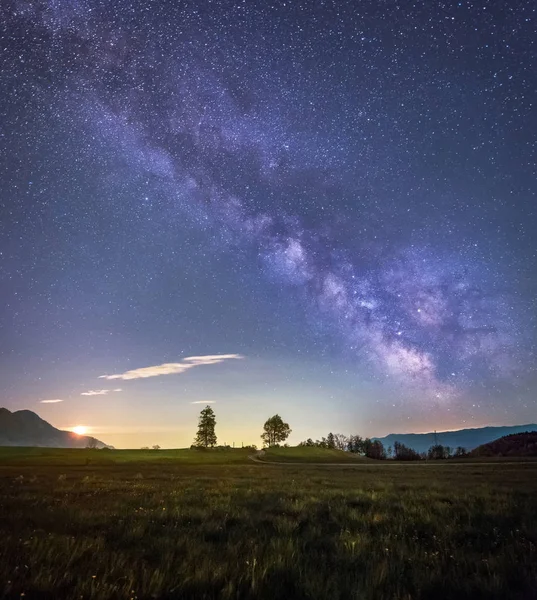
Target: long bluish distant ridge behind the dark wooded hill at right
{"type": "Point", "coordinates": [467, 438]}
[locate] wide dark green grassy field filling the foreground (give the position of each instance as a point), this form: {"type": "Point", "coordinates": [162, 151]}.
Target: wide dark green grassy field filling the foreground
{"type": "Point", "coordinates": [204, 525]}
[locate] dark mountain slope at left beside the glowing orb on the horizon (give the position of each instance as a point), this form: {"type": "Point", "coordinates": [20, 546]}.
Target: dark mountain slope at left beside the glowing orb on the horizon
{"type": "Point", "coordinates": [25, 428]}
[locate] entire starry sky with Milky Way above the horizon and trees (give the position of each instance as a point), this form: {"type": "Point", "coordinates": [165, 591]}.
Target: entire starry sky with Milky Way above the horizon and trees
{"type": "Point", "coordinates": [324, 209]}
